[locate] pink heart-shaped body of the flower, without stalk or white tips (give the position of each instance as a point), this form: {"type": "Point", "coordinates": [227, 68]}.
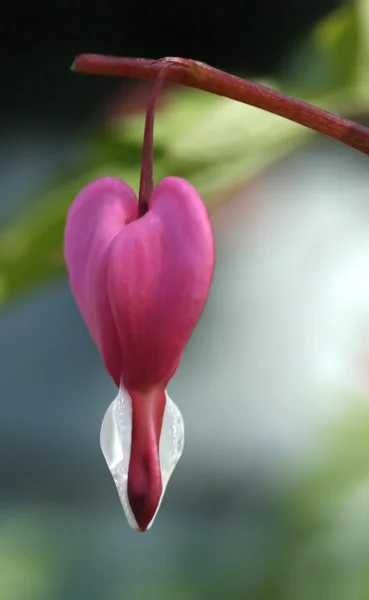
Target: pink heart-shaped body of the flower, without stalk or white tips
{"type": "Point", "coordinates": [140, 284]}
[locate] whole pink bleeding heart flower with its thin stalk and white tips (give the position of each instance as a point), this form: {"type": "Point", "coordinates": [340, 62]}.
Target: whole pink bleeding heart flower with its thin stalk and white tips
{"type": "Point", "coordinates": [140, 272]}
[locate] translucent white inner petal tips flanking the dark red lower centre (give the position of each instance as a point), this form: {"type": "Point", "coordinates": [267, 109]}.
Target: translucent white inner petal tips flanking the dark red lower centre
{"type": "Point", "coordinates": [115, 441]}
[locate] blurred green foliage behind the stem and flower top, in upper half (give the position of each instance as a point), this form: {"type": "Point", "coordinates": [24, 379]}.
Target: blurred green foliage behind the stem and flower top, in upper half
{"type": "Point", "coordinates": [215, 143]}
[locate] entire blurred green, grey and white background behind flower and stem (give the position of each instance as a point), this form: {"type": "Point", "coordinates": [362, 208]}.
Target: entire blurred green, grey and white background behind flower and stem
{"type": "Point", "coordinates": [270, 500]}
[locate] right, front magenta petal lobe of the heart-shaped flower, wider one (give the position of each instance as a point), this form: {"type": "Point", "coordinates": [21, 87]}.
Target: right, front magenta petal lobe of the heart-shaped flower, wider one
{"type": "Point", "coordinates": [159, 276]}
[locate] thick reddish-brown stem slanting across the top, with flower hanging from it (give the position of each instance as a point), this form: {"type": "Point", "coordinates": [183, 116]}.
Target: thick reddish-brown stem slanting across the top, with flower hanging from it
{"type": "Point", "coordinates": [198, 75]}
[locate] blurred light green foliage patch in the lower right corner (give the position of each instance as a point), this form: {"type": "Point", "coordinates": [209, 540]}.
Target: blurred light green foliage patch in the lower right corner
{"type": "Point", "coordinates": [325, 517]}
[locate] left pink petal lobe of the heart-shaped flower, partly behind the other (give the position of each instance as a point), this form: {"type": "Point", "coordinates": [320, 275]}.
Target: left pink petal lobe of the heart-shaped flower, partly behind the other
{"type": "Point", "coordinates": [97, 215]}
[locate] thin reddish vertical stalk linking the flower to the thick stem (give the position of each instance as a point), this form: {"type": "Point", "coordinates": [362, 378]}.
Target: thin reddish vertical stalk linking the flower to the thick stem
{"type": "Point", "coordinates": [147, 164]}
